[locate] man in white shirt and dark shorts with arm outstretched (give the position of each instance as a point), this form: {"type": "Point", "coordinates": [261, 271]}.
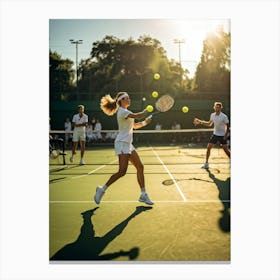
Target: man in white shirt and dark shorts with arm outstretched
{"type": "Point", "coordinates": [221, 130]}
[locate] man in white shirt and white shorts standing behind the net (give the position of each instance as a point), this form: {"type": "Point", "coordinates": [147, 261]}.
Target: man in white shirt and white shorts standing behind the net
{"type": "Point", "coordinates": [79, 122]}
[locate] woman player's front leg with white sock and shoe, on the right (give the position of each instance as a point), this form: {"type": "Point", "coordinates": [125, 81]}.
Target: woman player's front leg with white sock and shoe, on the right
{"type": "Point", "coordinates": [136, 161]}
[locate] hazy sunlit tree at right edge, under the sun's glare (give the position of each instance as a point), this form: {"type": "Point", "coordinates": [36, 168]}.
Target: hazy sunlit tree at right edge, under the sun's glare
{"type": "Point", "coordinates": [213, 71]}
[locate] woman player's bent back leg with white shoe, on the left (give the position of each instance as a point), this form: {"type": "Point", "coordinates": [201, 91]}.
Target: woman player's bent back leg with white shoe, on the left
{"type": "Point", "coordinates": [123, 164]}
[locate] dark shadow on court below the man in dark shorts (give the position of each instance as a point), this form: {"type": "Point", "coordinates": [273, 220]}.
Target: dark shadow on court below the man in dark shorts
{"type": "Point", "coordinates": [224, 196]}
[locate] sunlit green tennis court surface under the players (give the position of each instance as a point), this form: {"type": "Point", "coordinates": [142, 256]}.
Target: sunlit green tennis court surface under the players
{"type": "Point", "coordinates": [189, 221]}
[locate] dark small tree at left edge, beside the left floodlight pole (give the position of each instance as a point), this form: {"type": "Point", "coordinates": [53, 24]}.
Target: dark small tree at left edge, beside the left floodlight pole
{"type": "Point", "coordinates": [61, 77]}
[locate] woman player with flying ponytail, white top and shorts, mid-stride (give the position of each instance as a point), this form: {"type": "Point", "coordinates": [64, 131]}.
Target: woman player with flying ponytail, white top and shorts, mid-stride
{"type": "Point", "coordinates": [123, 142]}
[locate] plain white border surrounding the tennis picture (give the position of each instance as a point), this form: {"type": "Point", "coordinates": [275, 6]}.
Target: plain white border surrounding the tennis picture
{"type": "Point", "coordinates": [255, 138]}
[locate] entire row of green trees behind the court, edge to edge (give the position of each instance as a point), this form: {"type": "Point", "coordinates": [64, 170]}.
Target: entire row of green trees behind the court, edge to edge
{"type": "Point", "coordinates": [129, 65]}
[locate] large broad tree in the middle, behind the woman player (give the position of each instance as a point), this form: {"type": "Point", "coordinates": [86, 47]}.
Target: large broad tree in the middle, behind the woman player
{"type": "Point", "coordinates": [129, 65]}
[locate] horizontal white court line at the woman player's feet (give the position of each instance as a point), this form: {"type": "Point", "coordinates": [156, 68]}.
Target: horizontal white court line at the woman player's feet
{"type": "Point", "coordinates": [136, 201]}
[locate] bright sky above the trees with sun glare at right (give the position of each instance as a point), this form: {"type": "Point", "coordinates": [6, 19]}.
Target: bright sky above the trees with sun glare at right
{"type": "Point", "coordinates": [191, 31]}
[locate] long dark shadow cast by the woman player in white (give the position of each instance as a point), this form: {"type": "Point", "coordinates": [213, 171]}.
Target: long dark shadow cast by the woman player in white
{"type": "Point", "coordinates": [89, 247]}
